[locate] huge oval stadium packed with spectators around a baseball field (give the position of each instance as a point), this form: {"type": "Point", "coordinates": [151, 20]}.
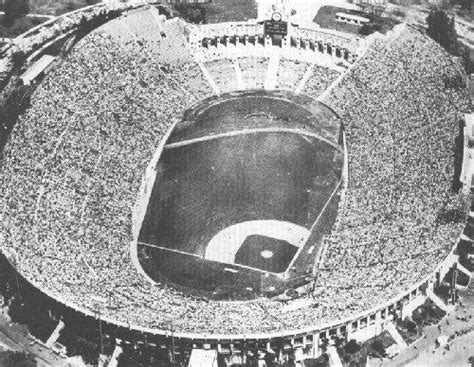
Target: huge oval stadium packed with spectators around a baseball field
{"type": "Point", "coordinates": [223, 187]}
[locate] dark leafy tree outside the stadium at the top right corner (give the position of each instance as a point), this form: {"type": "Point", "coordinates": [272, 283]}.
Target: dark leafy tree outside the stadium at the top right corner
{"type": "Point", "coordinates": [441, 29]}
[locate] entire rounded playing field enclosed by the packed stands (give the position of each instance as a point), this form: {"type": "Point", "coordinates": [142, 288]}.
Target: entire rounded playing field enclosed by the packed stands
{"type": "Point", "coordinates": [235, 165]}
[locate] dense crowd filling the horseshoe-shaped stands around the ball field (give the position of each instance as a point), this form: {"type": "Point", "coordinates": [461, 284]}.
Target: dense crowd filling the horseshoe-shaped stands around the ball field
{"type": "Point", "coordinates": [71, 173]}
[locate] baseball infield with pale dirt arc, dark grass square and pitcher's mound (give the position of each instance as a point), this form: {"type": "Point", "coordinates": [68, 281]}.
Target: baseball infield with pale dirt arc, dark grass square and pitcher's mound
{"type": "Point", "coordinates": [265, 245]}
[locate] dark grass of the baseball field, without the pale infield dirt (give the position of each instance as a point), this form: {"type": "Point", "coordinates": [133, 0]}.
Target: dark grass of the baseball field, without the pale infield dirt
{"type": "Point", "coordinates": [204, 187]}
